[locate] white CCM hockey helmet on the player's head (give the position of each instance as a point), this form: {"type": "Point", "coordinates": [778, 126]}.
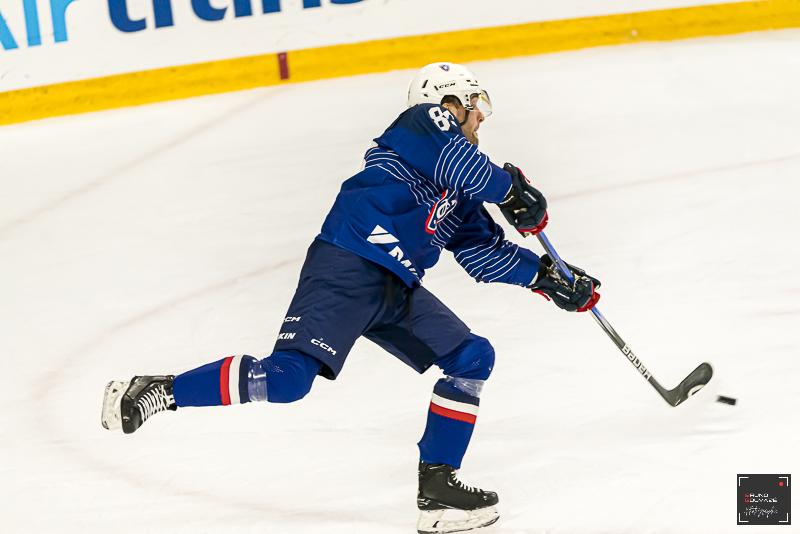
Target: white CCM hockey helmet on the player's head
{"type": "Point", "coordinates": [435, 81]}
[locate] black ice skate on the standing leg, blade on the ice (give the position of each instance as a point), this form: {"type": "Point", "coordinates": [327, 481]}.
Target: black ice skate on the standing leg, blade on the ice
{"type": "Point", "coordinates": [448, 505]}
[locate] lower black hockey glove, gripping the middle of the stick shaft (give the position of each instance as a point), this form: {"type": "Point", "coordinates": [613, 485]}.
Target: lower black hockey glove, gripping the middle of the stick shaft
{"type": "Point", "coordinates": [579, 295]}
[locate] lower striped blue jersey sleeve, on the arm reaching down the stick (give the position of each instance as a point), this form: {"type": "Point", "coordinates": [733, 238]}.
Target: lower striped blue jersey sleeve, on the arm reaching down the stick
{"type": "Point", "coordinates": [480, 247]}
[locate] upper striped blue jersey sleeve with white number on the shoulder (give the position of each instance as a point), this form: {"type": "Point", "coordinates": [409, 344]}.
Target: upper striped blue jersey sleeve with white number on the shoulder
{"type": "Point", "coordinates": [429, 138]}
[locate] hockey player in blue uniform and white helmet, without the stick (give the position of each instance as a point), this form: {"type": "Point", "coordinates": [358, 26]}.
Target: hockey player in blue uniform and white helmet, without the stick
{"type": "Point", "coordinates": [422, 189]}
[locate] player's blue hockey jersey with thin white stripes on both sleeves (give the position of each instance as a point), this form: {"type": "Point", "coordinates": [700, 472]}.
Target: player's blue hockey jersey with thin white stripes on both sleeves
{"type": "Point", "coordinates": [422, 190]}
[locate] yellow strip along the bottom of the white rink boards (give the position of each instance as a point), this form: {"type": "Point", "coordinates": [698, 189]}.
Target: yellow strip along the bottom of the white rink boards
{"type": "Point", "coordinates": [379, 55]}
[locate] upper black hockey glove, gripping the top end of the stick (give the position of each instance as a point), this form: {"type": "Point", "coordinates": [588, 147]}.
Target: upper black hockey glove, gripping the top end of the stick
{"type": "Point", "coordinates": [524, 207]}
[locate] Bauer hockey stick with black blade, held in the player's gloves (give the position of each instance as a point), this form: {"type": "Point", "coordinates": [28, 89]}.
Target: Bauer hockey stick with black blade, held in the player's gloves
{"type": "Point", "coordinates": [688, 387]}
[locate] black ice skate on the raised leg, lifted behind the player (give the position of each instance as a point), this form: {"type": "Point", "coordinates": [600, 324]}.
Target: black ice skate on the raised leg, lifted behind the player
{"type": "Point", "coordinates": [128, 405]}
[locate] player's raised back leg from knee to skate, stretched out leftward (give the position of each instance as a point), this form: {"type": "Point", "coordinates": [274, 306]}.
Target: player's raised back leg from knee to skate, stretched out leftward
{"type": "Point", "coordinates": [285, 376]}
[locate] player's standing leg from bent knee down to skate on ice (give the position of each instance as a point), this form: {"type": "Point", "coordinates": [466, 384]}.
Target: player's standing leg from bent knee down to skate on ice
{"type": "Point", "coordinates": [445, 503]}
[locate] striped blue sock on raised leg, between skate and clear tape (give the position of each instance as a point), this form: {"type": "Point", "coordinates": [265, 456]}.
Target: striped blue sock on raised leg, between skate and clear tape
{"type": "Point", "coordinates": [218, 383]}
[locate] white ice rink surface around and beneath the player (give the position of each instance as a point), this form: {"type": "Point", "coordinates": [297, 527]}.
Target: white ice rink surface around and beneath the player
{"type": "Point", "coordinates": [155, 239]}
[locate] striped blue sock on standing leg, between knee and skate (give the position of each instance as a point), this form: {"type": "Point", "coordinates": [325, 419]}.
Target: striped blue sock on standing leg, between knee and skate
{"type": "Point", "coordinates": [451, 420]}
